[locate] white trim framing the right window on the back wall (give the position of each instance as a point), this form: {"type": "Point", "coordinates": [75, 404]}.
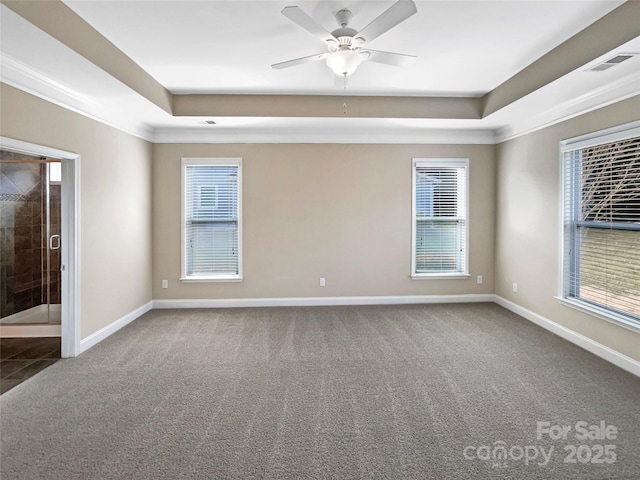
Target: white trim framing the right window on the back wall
{"type": "Point", "coordinates": [439, 162]}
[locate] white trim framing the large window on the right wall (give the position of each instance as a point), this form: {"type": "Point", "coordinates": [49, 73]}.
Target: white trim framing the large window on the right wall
{"type": "Point", "coordinates": [609, 135]}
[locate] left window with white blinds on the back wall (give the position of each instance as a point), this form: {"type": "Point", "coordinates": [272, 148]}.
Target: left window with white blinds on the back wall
{"type": "Point", "coordinates": [211, 226]}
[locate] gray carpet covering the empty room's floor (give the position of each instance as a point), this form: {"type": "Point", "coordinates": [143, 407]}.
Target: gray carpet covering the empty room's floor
{"type": "Point", "coordinates": [388, 392]}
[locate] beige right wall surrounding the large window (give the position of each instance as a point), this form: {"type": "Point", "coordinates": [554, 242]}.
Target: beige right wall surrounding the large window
{"type": "Point", "coordinates": [528, 224]}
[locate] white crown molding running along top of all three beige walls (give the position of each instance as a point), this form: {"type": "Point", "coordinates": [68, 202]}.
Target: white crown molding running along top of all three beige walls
{"type": "Point", "coordinates": [22, 77]}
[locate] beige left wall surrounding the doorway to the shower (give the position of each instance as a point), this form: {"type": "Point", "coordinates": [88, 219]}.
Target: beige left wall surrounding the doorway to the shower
{"type": "Point", "coordinates": [115, 203]}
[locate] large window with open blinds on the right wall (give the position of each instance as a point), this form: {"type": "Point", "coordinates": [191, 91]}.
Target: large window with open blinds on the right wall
{"type": "Point", "coordinates": [601, 223]}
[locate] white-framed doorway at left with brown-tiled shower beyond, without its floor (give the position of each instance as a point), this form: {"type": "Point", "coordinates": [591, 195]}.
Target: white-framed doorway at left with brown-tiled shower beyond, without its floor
{"type": "Point", "coordinates": [38, 216]}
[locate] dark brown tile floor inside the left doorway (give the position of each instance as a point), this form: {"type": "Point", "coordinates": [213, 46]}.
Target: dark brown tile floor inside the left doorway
{"type": "Point", "coordinates": [22, 358]}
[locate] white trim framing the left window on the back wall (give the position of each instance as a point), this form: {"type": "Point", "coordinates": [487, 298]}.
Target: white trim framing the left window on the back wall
{"type": "Point", "coordinates": [236, 162]}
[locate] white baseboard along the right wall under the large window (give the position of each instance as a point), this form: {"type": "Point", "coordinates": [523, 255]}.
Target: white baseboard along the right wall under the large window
{"type": "Point", "coordinates": [602, 351]}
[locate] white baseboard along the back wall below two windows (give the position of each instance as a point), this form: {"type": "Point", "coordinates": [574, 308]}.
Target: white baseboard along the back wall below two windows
{"type": "Point", "coordinates": [319, 301]}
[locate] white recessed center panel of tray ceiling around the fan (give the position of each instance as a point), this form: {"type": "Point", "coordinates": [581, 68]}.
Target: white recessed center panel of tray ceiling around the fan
{"type": "Point", "coordinates": [463, 48]}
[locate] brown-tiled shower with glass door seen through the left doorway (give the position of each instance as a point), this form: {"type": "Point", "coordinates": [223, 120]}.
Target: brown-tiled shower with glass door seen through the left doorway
{"type": "Point", "coordinates": [30, 228]}
